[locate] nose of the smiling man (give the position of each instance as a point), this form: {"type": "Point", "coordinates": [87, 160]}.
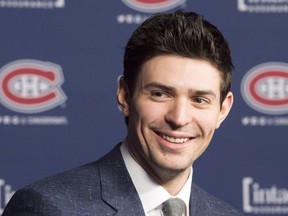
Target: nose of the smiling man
{"type": "Point", "coordinates": [179, 113]}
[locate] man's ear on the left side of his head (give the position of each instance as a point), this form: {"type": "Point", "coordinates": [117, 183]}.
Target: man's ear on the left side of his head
{"type": "Point", "coordinates": [123, 96]}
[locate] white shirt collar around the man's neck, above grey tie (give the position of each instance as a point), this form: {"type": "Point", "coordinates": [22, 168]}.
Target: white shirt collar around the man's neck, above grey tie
{"type": "Point", "coordinates": [147, 187]}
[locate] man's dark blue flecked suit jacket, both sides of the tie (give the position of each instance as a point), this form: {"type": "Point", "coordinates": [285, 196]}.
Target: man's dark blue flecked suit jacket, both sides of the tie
{"type": "Point", "coordinates": [103, 187]}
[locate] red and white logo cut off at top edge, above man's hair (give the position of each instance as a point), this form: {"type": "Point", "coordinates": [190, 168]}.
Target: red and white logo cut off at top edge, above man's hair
{"type": "Point", "coordinates": [152, 6]}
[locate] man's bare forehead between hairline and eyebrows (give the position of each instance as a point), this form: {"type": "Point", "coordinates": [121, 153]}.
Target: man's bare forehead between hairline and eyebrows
{"type": "Point", "coordinates": [180, 72]}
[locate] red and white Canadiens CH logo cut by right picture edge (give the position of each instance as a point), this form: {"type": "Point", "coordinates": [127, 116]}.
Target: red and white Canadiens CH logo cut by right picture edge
{"type": "Point", "coordinates": [265, 88]}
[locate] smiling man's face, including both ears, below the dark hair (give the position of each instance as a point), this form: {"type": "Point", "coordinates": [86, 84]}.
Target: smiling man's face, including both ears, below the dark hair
{"type": "Point", "coordinates": [173, 112]}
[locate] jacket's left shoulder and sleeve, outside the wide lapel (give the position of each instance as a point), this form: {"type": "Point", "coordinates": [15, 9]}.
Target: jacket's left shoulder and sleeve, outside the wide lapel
{"type": "Point", "coordinates": [70, 191]}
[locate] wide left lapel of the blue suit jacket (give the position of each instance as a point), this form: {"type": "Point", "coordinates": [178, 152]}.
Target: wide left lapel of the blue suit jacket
{"type": "Point", "coordinates": [117, 187]}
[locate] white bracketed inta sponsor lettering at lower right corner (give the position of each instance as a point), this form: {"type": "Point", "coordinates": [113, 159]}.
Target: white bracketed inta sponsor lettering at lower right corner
{"type": "Point", "coordinates": [263, 200]}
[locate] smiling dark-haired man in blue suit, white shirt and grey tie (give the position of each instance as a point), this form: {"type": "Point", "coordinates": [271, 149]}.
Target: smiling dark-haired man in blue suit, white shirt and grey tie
{"type": "Point", "coordinates": [174, 93]}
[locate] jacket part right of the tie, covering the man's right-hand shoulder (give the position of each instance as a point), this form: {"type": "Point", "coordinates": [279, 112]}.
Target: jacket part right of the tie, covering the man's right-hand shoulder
{"type": "Point", "coordinates": [205, 202]}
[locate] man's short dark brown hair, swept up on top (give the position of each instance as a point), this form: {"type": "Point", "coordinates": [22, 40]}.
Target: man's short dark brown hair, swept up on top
{"type": "Point", "coordinates": [181, 33]}
